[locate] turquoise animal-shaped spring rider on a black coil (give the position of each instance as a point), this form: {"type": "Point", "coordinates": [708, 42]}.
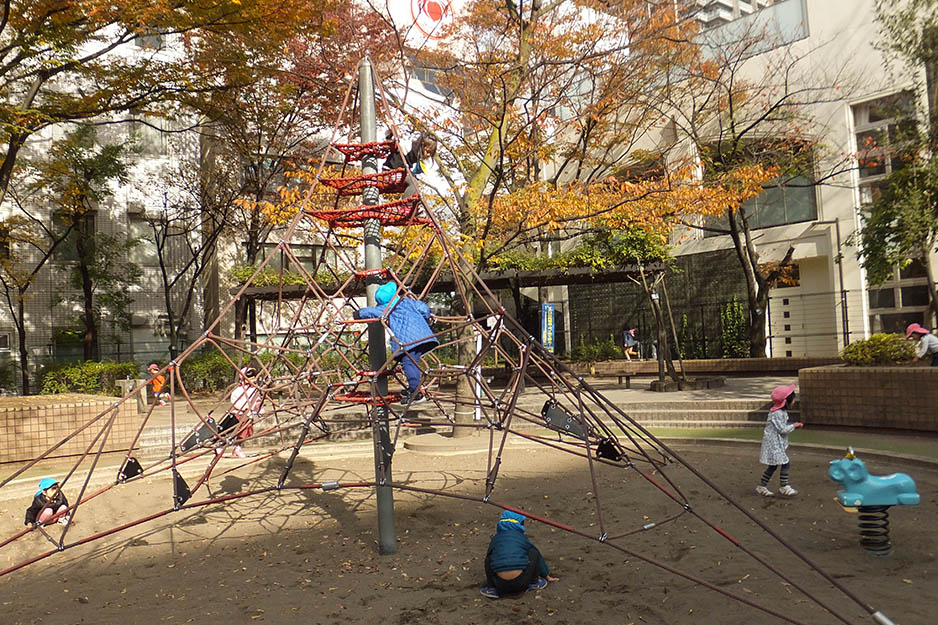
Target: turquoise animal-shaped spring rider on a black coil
{"type": "Point", "coordinates": [871, 496]}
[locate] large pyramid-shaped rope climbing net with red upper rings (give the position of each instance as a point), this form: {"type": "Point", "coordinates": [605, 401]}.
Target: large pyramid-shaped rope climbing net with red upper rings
{"type": "Point", "coordinates": [316, 367]}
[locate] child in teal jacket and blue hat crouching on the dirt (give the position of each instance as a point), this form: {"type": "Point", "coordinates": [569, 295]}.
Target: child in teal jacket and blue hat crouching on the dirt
{"type": "Point", "coordinates": [513, 564]}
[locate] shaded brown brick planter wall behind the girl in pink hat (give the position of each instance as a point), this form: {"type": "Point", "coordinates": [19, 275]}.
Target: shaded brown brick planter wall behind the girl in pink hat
{"type": "Point", "coordinates": [887, 397]}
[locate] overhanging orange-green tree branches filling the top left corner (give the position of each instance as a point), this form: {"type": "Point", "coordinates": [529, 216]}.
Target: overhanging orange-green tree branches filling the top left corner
{"type": "Point", "coordinates": [76, 61]}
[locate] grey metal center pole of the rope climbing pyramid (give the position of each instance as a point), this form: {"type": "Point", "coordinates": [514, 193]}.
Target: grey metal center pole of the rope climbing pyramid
{"type": "Point", "coordinates": [387, 543]}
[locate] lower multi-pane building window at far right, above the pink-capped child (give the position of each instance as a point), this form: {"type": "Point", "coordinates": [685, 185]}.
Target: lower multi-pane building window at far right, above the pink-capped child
{"type": "Point", "coordinates": [901, 300]}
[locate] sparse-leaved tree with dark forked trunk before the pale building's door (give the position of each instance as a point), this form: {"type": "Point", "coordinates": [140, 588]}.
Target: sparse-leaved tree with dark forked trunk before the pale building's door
{"type": "Point", "coordinates": [743, 111]}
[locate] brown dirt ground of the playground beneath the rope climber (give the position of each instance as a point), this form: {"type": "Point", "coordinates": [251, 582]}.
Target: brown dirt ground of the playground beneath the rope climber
{"type": "Point", "coordinates": [311, 556]}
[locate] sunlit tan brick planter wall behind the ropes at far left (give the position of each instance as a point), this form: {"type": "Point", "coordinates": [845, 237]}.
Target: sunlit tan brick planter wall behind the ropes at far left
{"type": "Point", "coordinates": [31, 425]}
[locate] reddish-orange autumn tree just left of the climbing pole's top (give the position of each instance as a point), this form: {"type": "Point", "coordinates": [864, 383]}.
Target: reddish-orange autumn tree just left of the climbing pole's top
{"type": "Point", "coordinates": [271, 123]}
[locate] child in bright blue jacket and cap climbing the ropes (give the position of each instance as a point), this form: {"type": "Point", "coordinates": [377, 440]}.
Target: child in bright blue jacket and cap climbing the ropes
{"type": "Point", "coordinates": [411, 336]}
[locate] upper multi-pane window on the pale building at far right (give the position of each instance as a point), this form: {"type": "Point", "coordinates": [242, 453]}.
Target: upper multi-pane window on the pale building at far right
{"type": "Point", "coordinates": [881, 127]}
